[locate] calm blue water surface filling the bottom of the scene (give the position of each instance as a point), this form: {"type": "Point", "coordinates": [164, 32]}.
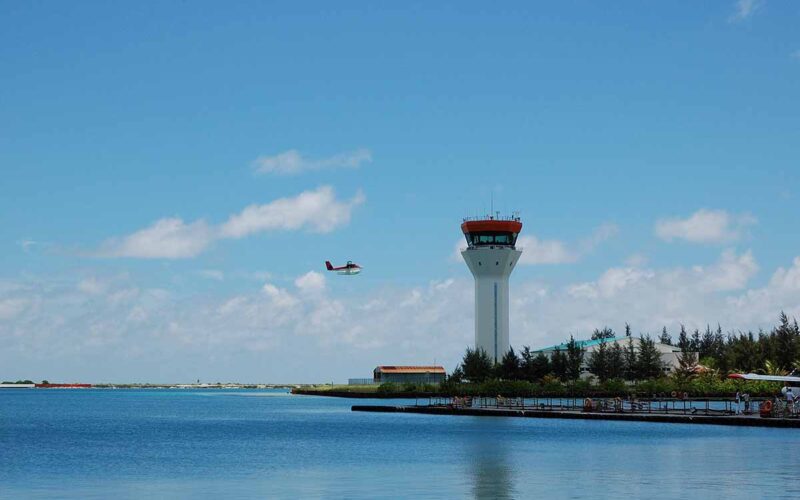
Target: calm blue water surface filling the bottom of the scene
{"type": "Point", "coordinates": [242, 443]}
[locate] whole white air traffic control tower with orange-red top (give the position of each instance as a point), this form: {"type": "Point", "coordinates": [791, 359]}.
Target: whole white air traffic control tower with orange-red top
{"type": "Point", "coordinates": [491, 255]}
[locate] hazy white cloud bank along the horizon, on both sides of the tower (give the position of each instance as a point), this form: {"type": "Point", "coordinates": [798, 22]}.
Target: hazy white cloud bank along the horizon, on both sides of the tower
{"type": "Point", "coordinates": [129, 329]}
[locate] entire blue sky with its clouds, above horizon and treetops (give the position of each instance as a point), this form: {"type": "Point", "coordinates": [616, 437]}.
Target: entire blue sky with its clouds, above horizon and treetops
{"type": "Point", "coordinates": [651, 151]}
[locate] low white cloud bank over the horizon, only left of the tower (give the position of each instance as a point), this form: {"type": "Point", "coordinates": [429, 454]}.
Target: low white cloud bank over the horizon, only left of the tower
{"type": "Point", "coordinates": [168, 337]}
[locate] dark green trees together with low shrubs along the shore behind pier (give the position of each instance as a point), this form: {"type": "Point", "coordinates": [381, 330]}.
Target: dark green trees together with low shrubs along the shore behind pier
{"type": "Point", "coordinates": [621, 368]}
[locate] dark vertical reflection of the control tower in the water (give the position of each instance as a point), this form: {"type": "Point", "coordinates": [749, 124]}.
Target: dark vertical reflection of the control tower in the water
{"type": "Point", "coordinates": [488, 447]}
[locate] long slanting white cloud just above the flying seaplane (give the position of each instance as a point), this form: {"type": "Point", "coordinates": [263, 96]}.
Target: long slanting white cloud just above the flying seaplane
{"type": "Point", "coordinates": [172, 238]}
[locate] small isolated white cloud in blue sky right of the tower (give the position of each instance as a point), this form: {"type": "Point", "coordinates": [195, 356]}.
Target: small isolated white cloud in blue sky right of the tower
{"type": "Point", "coordinates": [704, 226]}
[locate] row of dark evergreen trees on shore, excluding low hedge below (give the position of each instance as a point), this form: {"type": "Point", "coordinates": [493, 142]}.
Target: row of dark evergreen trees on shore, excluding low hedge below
{"type": "Point", "coordinates": [773, 352]}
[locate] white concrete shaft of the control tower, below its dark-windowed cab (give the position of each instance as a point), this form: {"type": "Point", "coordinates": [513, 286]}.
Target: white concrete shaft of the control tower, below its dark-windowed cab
{"type": "Point", "coordinates": [491, 266]}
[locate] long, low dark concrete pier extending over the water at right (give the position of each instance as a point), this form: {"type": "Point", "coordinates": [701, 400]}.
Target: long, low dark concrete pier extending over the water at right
{"type": "Point", "coordinates": [735, 420]}
